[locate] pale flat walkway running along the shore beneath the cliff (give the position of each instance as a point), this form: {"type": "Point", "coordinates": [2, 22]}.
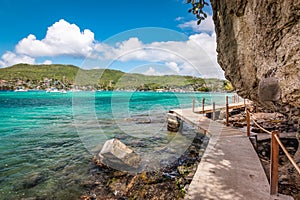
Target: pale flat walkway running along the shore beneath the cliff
{"type": "Point", "coordinates": [230, 168]}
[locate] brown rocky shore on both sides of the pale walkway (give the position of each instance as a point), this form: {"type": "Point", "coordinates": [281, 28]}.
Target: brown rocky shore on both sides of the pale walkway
{"type": "Point", "coordinates": [172, 180]}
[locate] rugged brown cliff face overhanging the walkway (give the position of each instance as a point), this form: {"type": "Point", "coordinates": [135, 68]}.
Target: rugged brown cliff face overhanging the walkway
{"type": "Point", "coordinates": [258, 45]}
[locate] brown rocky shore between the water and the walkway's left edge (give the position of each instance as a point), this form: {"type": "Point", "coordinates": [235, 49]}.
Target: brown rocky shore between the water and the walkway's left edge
{"type": "Point", "coordinates": [171, 181]}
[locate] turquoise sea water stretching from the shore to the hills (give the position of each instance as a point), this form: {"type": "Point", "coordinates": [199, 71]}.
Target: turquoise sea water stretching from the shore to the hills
{"type": "Point", "coordinates": [47, 140]}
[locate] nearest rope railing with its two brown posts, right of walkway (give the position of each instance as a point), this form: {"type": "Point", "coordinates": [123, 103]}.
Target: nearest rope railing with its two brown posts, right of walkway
{"type": "Point", "coordinates": [275, 144]}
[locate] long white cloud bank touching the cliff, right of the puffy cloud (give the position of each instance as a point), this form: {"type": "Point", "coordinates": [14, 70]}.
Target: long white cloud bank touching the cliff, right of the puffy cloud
{"type": "Point", "coordinates": [195, 56]}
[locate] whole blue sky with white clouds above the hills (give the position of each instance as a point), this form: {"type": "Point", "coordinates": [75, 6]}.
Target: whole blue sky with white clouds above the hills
{"type": "Point", "coordinates": [150, 37]}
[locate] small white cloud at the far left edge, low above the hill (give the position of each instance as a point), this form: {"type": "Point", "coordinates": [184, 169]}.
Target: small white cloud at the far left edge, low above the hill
{"type": "Point", "coordinates": [10, 58]}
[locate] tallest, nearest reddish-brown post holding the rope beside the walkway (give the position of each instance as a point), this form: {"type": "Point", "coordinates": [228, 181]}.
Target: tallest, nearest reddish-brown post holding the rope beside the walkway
{"type": "Point", "coordinates": [274, 164]}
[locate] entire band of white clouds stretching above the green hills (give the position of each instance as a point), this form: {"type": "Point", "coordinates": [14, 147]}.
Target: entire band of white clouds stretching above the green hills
{"type": "Point", "coordinates": [195, 56]}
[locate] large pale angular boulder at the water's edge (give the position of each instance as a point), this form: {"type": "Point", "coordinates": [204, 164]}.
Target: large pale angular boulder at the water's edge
{"type": "Point", "coordinates": [117, 155]}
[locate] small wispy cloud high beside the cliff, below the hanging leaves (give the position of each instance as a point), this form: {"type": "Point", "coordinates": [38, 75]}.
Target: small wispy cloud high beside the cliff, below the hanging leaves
{"type": "Point", "coordinates": [206, 25]}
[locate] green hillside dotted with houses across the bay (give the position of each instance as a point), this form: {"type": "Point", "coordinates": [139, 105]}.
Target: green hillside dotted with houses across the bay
{"type": "Point", "coordinates": [69, 76]}
